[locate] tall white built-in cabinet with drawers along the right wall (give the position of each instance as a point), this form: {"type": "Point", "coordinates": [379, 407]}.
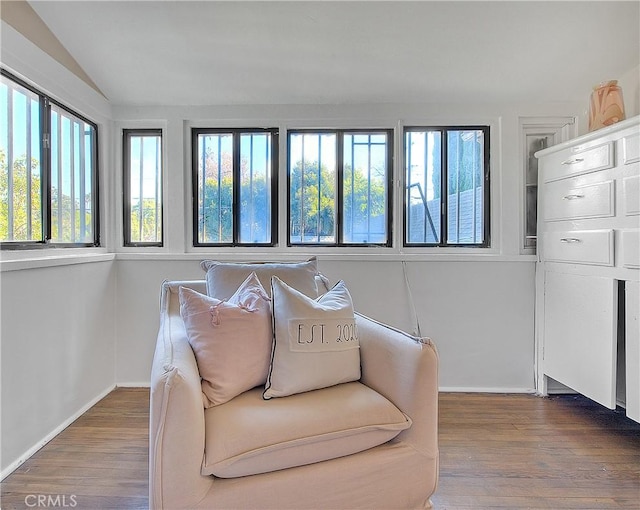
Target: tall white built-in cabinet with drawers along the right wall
{"type": "Point", "coordinates": [589, 266]}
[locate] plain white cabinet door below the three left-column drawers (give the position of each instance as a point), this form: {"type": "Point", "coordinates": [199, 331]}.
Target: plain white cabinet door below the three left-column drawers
{"type": "Point", "coordinates": [580, 339]}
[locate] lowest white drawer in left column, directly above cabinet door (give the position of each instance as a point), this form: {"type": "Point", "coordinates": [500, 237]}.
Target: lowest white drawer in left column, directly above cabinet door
{"type": "Point", "coordinates": [579, 246]}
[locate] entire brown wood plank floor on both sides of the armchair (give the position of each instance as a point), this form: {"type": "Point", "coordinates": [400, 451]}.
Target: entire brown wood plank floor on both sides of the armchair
{"type": "Point", "coordinates": [496, 452]}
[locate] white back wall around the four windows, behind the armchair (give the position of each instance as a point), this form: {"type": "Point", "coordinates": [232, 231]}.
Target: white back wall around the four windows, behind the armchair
{"type": "Point", "coordinates": [477, 304]}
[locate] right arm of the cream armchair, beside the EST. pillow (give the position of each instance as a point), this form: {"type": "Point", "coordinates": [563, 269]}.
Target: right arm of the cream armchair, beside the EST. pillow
{"type": "Point", "coordinates": [404, 369]}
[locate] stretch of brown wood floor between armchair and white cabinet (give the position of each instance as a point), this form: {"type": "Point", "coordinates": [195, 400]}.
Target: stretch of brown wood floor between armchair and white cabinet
{"type": "Point", "coordinates": [521, 451]}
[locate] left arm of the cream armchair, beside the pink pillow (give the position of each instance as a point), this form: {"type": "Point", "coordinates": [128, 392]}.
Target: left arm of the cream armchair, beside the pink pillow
{"type": "Point", "coordinates": [176, 428]}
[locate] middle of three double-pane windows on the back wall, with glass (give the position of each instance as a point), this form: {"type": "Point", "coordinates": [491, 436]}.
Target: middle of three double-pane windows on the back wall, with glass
{"type": "Point", "coordinates": [340, 187]}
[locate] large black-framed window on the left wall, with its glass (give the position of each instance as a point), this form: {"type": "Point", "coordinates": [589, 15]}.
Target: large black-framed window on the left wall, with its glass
{"type": "Point", "coordinates": [48, 171]}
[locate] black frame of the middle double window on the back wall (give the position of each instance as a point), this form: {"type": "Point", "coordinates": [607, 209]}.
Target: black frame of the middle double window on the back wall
{"type": "Point", "coordinates": [339, 199]}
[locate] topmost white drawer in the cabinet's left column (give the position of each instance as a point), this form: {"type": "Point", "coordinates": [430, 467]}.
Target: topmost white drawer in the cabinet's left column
{"type": "Point", "coordinates": [570, 162]}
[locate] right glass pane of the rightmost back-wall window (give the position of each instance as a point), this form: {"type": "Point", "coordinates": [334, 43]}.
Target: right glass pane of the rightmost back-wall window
{"type": "Point", "coordinates": [465, 211]}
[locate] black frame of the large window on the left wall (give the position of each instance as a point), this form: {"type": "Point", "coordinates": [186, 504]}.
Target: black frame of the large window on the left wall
{"type": "Point", "coordinates": [45, 179]}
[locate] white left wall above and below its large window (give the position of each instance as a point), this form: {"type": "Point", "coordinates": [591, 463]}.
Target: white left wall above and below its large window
{"type": "Point", "coordinates": [57, 306]}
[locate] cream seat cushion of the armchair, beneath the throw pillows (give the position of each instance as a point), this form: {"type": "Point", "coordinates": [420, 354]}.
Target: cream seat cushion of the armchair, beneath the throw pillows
{"type": "Point", "coordinates": [249, 435]}
